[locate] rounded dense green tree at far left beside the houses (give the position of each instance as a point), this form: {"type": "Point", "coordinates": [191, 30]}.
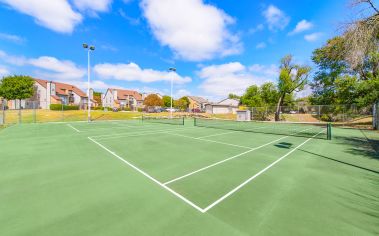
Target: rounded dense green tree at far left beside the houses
{"type": "Point", "coordinates": [17, 87]}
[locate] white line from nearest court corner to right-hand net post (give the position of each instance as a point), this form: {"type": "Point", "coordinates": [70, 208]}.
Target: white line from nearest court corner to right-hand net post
{"type": "Point", "coordinates": [256, 175]}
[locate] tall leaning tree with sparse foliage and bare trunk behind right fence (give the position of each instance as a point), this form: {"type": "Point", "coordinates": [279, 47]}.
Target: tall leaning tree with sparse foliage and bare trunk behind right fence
{"type": "Point", "coordinates": [292, 78]}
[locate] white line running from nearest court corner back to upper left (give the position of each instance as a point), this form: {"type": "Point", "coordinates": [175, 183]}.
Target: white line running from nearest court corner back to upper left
{"type": "Point", "coordinates": [150, 177]}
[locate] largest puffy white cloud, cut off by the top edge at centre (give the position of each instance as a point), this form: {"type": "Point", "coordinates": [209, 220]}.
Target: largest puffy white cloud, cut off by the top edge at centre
{"type": "Point", "coordinates": [192, 29]}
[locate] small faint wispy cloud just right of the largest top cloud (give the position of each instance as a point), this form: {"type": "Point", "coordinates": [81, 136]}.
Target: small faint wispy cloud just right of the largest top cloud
{"type": "Point", "coordinates": [275, 18]}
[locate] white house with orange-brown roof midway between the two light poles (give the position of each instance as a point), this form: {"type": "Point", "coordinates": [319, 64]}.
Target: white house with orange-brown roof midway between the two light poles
{"type": "Point", "coordinates": [121, 99]}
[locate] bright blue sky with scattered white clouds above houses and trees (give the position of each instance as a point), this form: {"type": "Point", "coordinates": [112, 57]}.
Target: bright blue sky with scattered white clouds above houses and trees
{"type": "Point", "coordinates": [218, 47]}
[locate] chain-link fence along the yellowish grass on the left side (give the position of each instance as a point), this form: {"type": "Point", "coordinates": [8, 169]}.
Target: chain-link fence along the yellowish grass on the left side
{"type": "Point", "coordinates": [12, 112]}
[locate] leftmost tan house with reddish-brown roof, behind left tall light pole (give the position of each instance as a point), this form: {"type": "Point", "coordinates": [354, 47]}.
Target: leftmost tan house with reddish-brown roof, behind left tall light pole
{"type": "Point", "coordinates": [50, 92]}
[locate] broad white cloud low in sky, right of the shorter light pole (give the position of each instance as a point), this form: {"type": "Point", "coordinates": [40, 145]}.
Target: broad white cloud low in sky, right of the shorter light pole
{"type": "Point", "coordinates": [220, 80]}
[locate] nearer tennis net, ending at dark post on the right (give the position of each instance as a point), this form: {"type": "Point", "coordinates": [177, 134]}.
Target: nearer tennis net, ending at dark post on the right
{"type": "Point", "coordinates": [301, 129]}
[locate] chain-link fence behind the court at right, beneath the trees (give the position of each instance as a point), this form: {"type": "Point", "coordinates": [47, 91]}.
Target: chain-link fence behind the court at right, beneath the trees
{"type": "Point", "coordinates": [343, 114]}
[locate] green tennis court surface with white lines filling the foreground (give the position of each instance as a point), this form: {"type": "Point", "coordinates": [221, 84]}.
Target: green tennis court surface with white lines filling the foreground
{"type": "Point", "coordinates": [149, 178]}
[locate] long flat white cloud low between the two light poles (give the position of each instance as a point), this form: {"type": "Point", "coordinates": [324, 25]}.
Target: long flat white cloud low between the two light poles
{"type": "Point", "coordinates": [132, 72]}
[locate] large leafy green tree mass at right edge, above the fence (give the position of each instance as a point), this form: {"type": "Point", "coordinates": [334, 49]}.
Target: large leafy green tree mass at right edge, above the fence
{"type": "Point", "coordinates": [337, 82]}
